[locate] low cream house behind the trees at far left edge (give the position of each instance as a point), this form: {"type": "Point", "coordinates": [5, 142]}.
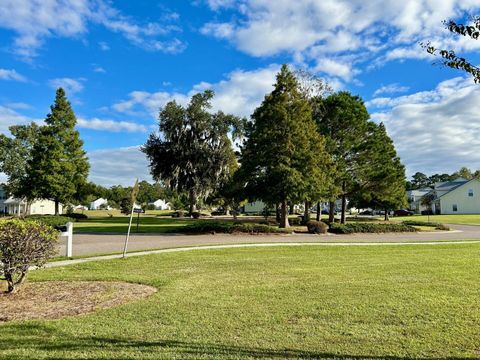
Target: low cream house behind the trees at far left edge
{"type": "Point", "coordinates": [20, 207]}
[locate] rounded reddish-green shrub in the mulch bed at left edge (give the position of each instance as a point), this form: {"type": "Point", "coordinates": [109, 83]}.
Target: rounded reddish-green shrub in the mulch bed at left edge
{"type": "Point", "coordinates": [24, 244]}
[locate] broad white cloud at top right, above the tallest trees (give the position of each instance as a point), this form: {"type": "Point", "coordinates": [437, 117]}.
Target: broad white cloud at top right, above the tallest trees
{"type": "Point", "coordinates": [318, 32]}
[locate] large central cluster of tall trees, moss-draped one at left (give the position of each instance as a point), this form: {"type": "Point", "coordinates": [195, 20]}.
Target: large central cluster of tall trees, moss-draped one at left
{"type": "Point", "coordinates": [300, 146]}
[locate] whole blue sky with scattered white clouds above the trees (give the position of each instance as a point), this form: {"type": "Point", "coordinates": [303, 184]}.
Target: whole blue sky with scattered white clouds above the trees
{"type": "Point", "coordinates": [120, 61]}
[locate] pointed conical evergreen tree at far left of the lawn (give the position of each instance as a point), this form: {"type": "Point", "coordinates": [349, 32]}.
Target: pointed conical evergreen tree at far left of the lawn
{"type": "Point", "coordinates": [58, 166]}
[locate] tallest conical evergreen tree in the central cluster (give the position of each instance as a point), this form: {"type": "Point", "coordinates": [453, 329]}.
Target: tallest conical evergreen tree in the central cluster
{"type": "Point", "coordinates": [283, 159]}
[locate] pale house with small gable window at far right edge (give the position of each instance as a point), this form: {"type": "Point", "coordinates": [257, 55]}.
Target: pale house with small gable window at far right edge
{"type": "Point", "coordinates": [459, 196]}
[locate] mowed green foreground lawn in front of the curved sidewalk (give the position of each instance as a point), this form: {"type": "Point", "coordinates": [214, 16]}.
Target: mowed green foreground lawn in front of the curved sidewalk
{"type": "Point", "coordinates": [395, 302]}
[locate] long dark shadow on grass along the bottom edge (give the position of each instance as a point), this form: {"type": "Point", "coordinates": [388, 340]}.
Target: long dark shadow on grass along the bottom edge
{"type": "Point", "coordinates": [31, 338]}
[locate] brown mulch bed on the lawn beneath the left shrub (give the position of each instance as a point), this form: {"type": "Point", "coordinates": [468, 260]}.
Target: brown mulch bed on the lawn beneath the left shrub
{"type": "Point", "coordinates": [58, 299]}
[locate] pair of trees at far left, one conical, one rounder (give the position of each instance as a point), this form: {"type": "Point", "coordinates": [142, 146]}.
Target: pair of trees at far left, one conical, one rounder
{"type": "Point", "coordinates": [46, 161]}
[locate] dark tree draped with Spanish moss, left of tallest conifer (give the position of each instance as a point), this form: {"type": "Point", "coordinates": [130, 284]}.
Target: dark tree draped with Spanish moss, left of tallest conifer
{"type": "Point", "coordinates": [193, 153]}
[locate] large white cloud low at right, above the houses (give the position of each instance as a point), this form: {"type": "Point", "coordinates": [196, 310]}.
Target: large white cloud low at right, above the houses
{"type": "Point", "coordinates": [436, 131]}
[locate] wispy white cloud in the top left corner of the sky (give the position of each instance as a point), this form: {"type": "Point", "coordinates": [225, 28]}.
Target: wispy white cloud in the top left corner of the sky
{"type": "Point", "coordinates": [34, 21]}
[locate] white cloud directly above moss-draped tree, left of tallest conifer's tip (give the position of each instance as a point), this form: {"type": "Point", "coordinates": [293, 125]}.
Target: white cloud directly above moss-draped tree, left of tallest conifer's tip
{"type": "Point", "coordinates": [239, 94]}
